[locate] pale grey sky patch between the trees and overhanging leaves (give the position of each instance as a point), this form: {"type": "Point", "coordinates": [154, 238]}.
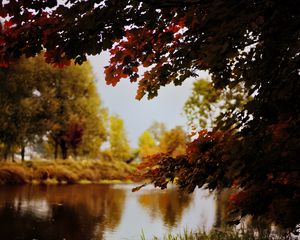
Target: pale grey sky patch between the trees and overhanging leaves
{"type": "Point", "coordinates": [137, 115]}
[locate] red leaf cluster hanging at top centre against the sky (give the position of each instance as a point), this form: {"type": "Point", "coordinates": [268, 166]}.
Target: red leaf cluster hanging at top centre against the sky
{"type": "Point", "coordinates": [134, 50]}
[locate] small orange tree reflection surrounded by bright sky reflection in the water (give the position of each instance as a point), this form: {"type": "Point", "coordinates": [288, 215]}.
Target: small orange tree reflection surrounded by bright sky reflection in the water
{"type": "Point", "coordinates": [169, 204]}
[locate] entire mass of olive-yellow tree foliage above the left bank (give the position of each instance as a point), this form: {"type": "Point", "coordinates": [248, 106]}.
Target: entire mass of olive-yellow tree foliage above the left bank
{"type": "Point", "coordinates": [38, 101]}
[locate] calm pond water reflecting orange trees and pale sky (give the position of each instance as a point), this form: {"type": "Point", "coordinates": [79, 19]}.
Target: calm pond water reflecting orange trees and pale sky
{"type": "Point", "coordinates": [84, 212]}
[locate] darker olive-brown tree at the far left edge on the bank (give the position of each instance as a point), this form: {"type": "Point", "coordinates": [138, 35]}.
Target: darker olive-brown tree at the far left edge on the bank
{"type": "Point", "coordinates": [23, 107]}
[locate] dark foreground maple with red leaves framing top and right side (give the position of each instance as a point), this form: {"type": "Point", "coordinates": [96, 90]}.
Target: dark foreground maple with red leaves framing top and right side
{"type": "Point", "coordinates": [253, 43]}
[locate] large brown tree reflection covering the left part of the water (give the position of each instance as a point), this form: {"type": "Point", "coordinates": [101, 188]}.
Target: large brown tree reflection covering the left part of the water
{"type": "Point", "coordinates": [72, 212]}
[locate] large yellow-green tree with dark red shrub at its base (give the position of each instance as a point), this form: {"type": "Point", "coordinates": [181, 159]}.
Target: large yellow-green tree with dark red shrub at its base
{"type": "Point", "coordinates": [79, 119]}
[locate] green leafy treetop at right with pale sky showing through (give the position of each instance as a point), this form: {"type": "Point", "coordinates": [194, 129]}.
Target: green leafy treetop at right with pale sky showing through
{"type": "Point", "coordinates": [207, 106]}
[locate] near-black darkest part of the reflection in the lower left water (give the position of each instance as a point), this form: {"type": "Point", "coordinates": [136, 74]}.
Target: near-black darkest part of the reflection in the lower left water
{"type": "Point", "coordinates": [65, 223]}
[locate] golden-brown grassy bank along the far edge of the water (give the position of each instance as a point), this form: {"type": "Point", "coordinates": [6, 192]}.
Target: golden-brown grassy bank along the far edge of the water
{"type": "Point", "coordinates": [63, 171]}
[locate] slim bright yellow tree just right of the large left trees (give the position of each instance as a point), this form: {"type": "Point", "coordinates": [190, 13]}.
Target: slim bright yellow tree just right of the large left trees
{"type": "Point", "coordinates": [119, 145]}
